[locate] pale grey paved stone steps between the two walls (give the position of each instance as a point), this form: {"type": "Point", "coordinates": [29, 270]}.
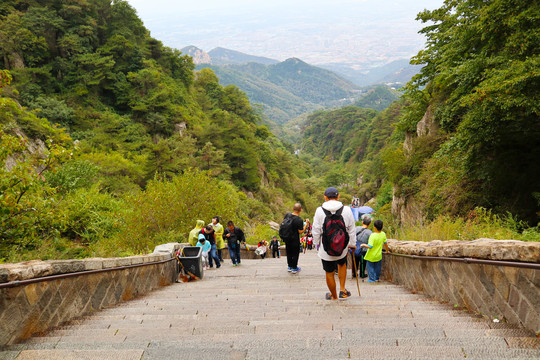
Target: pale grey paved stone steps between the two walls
{"type": "Point", "coordinates": [260, 311]}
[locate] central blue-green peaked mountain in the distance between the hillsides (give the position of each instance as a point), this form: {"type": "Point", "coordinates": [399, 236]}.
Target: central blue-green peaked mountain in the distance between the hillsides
{"type": "Point", "coordinates": [289, 88]}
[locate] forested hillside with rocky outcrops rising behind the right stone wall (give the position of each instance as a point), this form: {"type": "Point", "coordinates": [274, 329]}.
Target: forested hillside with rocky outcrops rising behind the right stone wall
{"type": "Point", "coordinates": [464, 140]}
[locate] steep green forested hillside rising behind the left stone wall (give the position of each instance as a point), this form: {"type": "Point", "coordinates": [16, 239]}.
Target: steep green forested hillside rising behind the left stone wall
{"type": "Point", "coordinates": [112, 143]}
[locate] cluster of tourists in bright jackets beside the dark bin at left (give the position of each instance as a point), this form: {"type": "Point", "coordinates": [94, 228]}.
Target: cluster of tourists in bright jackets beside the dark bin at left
{"type": "Point", "coordinates": [212, 238]}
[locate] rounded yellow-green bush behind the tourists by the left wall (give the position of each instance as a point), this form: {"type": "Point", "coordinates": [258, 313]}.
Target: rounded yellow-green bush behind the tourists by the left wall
{"type": "Point", "coordinates": [171, 208]}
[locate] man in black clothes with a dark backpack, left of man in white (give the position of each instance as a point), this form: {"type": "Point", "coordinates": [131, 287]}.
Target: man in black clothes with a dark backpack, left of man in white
{"type": "Point", "coordinates": [289, 231]}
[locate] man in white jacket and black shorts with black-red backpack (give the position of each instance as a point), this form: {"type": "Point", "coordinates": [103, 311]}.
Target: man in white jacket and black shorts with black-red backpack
{"type": "Point", "coordinates": [334, 230]}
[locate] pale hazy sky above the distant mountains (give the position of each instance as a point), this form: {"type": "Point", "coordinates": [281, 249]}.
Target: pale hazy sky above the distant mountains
{"type": "Point", "coordinates": [341, 31]}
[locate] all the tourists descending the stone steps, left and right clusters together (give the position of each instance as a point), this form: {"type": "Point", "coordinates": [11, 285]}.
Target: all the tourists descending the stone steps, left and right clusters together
{"type": "Point", "coordinates": [333, 232]}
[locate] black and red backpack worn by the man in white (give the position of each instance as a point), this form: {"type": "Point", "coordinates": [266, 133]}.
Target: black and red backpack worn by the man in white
{"type": "Point", "coordinates": [335, 237]}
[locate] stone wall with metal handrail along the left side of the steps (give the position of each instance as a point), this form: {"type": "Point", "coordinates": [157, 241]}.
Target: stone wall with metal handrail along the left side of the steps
{"type": "Point", "coordinates": [38, 295]}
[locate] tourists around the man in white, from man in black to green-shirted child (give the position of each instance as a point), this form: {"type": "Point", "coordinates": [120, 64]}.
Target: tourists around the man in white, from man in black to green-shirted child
{"type": "Point", "coordinates": [335, 235]}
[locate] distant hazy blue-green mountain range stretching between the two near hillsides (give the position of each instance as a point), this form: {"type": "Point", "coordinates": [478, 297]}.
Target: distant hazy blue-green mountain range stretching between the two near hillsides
{"type": "Point", "coordinates": [290, 88]}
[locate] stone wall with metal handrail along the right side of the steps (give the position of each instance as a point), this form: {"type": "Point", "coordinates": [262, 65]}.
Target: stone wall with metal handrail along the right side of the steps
{"type": "Point", "coordinates": [499, 279]}
